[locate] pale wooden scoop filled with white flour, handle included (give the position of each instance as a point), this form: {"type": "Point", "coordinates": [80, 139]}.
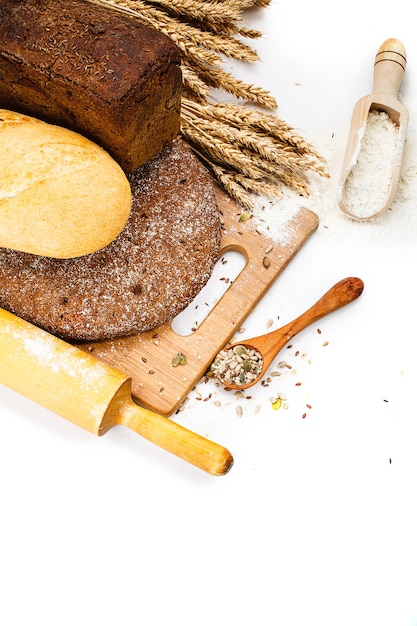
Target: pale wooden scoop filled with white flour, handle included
{"type": "Point", "coordinates": [378, 192]}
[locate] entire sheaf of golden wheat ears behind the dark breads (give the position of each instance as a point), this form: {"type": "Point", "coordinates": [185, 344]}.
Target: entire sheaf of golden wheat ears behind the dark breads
{"type": "Point", "coordinates": [248, 150]}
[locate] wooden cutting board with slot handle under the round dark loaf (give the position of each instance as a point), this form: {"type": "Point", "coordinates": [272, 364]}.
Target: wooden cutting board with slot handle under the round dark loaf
{"type": "Point", "coordinates": [148, 358]}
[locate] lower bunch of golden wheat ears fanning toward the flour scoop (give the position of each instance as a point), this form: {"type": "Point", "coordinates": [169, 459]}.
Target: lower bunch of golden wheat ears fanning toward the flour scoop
{"type": "Point", "coordinates": [246, 153]}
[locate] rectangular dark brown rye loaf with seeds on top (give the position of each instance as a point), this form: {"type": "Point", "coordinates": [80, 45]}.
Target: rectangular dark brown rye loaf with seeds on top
{"type": "Point", "coordinates": [94, 70]}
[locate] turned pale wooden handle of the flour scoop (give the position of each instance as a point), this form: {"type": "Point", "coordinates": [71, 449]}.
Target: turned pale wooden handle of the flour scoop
{"type": "Point", "coordinates": [390, 63]}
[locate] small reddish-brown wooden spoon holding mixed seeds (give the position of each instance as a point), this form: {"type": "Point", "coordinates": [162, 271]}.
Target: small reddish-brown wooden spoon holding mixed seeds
{"type": "Point", "coordinates": [270, 344]}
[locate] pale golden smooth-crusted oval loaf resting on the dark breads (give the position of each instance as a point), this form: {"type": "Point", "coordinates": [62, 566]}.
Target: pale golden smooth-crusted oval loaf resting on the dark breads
{"type": "Point", "coordinates": [61, 195]}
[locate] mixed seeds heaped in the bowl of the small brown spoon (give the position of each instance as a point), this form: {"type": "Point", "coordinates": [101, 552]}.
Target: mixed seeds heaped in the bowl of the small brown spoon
{"type": "Point", "coordinates": [237, 366]}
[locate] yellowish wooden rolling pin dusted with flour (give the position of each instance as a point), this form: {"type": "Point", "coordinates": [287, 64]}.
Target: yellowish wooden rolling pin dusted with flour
{"type": "Point", "coordinates": [91, 394]}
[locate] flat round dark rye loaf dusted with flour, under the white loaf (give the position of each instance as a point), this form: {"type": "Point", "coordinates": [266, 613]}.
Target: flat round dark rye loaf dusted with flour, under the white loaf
{"type": "Point", "coordinates": [142, 279]}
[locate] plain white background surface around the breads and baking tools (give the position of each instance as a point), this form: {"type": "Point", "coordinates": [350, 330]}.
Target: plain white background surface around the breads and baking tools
{"type": "Point", "coordinates": [317, 520]}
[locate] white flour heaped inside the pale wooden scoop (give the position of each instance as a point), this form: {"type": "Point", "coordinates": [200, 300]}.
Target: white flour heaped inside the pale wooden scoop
{"type": "Point", "coordinates": [369, 180]}
